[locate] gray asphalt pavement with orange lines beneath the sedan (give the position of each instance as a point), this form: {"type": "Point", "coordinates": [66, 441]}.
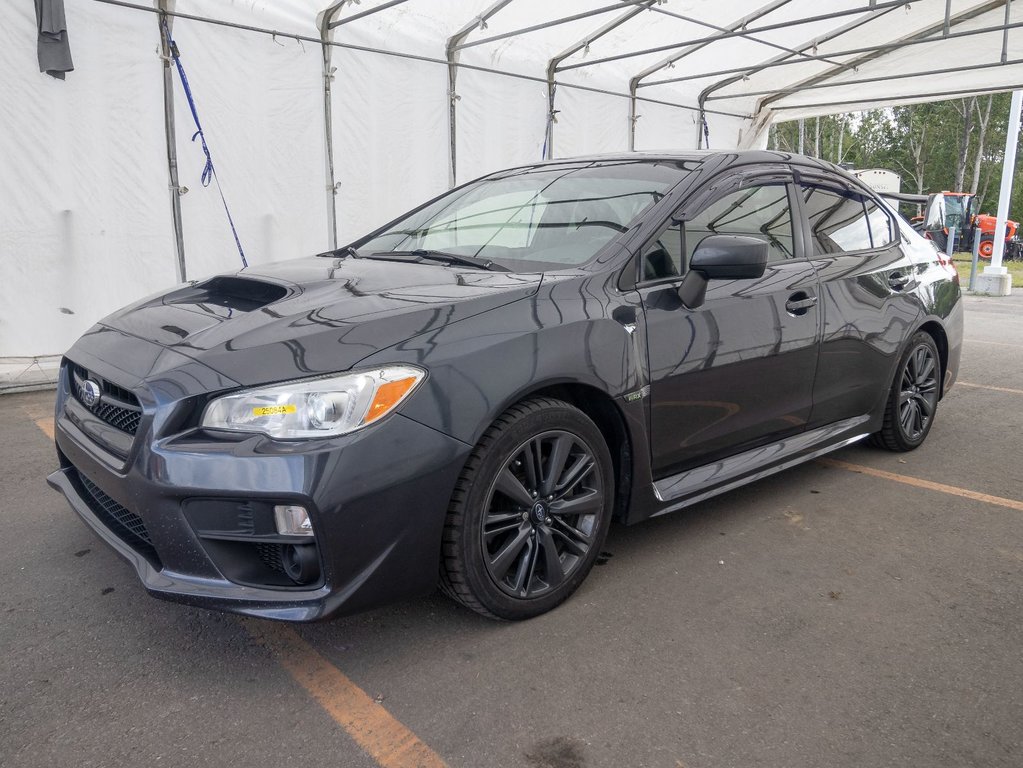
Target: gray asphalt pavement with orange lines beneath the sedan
{"type": "Point", "coordinates": [861, 612]}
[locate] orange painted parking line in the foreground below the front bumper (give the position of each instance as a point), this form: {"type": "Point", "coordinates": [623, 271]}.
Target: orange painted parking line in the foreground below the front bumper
{"type": "Point", "coordinates": [374, 729]}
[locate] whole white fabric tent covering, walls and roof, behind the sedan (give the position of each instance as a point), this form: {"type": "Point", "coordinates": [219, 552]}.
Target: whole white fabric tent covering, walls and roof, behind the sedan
{"type": "Point", "coordinates": [422, 95]}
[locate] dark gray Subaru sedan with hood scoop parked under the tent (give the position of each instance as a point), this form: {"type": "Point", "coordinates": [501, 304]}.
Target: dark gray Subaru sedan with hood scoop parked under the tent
{"type": "Point", "coordinates": [472, 393]}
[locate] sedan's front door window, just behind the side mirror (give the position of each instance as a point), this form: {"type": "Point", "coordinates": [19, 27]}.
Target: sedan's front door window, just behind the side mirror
{"type": "Point", "coordinates": [761, 212]}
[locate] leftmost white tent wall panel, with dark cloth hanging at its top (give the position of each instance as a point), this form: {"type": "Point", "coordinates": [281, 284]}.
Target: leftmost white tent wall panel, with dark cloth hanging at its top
{"type": "Point", "coordinates": [85, 223]}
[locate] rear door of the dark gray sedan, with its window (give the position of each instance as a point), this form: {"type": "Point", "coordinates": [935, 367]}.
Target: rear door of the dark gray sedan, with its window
{"type": "Point", "coordinates": [867, 300]}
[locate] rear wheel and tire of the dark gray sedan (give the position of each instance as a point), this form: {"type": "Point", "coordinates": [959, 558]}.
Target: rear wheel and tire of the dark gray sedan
{"type": "Point", "coordinates": [913, 402]}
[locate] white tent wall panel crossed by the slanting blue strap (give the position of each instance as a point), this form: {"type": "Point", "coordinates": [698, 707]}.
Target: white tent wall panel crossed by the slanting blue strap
{"type": "Point", "coordinates": [260, 101]}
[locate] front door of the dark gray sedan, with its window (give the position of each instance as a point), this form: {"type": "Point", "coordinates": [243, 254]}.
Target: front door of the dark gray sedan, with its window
{"type": "Point", "coordinates": [738, 372]}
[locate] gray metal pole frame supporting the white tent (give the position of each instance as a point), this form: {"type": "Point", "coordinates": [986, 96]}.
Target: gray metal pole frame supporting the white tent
{"type": "Point", "coordinates": [626, 11]}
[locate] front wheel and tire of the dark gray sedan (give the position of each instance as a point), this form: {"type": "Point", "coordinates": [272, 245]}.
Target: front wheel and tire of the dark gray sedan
{"type": "Point", "coordinates": [530, 512]}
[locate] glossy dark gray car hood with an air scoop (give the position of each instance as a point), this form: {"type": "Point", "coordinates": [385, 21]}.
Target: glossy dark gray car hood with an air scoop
{"type": "Point", "coordinates": [315, 315]}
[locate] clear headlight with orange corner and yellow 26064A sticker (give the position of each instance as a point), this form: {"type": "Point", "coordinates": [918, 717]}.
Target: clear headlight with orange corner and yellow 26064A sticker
{"type": "Point", "coordinates": [316, 408]}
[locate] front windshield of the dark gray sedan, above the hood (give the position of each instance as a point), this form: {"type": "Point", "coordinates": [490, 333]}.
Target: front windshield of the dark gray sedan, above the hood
{"type": "Point", "coordinates": [535, 219]}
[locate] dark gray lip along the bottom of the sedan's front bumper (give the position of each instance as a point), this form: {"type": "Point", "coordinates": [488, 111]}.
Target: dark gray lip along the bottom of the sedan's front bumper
{"type": "Point", "coordinates": [209, 594]}
